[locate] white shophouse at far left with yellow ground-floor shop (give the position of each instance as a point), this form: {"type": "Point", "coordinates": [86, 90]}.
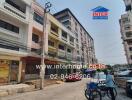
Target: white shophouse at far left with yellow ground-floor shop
{"type": "Point", "coordinates": [14, 19]}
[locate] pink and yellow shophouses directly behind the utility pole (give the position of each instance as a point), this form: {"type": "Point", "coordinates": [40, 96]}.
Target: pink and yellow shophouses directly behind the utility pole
{"type": "Point", "coordinates": [59, 44]}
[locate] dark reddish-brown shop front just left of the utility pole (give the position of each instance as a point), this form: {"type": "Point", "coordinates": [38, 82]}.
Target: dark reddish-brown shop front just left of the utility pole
{"type": "Point", "coordinates": [30, 68]}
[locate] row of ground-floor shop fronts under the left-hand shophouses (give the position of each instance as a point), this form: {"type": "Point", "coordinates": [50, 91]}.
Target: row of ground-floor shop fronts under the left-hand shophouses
{"type": "Point", "coordinates": [20, 69]}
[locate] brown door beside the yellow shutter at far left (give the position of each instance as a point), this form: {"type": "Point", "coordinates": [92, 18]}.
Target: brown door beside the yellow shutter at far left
{"type": "Point", "coordinates": [14, 71]}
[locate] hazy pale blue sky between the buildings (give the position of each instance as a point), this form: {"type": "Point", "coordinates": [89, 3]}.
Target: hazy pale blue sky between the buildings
{"type": "Point", "coordinates": [106, 33]}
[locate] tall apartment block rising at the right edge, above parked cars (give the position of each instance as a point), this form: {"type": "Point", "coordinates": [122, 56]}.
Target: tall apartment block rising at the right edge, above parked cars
{"type": "Point", "coordinates": [126, 30]}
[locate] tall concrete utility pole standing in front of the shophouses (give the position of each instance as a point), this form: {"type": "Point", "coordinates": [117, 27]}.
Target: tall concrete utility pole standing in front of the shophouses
{"type": "Point", "coordinates": [42, 70]}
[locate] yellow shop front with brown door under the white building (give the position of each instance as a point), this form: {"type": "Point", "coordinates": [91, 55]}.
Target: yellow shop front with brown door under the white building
{"type": "Point", "coordinates": [9, 71]}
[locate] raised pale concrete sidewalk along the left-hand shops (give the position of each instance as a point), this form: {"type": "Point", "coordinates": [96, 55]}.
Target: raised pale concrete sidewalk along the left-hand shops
{"type": "Point", "coordinates": [21, 88]}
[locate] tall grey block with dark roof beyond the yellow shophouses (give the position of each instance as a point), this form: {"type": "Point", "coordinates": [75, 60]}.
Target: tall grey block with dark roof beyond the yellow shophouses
{"type": "Point", "coordinates": [84, 43]}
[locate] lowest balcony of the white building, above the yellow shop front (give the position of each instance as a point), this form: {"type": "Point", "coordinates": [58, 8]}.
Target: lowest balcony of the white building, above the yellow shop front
{"type": "Point", "coordinates": [11, 47]}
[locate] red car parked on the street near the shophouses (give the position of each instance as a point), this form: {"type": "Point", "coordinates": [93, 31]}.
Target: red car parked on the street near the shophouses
{"type": "Point", "coordinates": [73, 77]}
